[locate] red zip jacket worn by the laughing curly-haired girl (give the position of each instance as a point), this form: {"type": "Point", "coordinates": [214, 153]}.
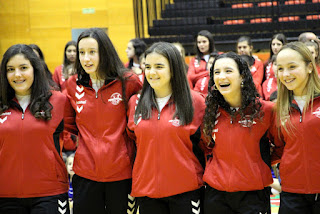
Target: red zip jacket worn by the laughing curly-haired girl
{"type": "Point", "coordinates": [237, 164]}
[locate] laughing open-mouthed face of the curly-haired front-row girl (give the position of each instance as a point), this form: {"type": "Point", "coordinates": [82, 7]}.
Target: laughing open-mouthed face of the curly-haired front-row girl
{"type": "Point", "coordinates": [227, 78]}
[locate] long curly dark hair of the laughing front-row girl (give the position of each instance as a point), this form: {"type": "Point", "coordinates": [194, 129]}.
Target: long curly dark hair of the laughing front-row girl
{"type": "Point", "coordinates": [250, 104]}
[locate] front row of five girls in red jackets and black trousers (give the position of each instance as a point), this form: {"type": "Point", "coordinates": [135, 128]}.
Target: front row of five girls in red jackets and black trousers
{"type": "Point", "coordinates": [165, 122]}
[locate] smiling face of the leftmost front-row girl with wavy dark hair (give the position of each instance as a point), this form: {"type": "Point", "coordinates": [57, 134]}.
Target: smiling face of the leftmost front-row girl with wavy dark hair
{"type": "Point", "coordinates": [20, 74]}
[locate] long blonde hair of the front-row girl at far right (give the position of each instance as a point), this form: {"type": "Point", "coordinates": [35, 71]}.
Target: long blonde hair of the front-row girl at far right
{"type": "Point", "coordinates": [285, 96]}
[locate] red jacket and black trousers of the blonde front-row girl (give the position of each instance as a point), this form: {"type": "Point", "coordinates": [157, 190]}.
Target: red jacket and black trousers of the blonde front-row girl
{"type": "Point", "coordinates": [300, 165]}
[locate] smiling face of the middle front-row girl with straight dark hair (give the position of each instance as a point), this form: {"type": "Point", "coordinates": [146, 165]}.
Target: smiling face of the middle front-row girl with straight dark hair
{"type": "Point", "coordinates": [158, 74]}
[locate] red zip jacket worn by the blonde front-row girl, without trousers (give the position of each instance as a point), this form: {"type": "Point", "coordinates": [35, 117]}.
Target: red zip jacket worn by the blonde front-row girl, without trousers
{"type": "Point", "coordinates": [300, 165]}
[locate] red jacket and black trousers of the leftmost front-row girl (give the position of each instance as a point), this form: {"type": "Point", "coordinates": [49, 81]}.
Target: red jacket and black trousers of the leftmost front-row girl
{"type": "Point", "coordinates": [33, 176]}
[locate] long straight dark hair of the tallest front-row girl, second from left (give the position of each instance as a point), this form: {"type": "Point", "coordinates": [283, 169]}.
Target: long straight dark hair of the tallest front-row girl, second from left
{"type": "Point", "coordinates": [110, 66]}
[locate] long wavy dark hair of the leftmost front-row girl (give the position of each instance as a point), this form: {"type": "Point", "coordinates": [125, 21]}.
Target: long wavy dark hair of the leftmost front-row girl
{"type": "Point", "coordinates": [40, 106]}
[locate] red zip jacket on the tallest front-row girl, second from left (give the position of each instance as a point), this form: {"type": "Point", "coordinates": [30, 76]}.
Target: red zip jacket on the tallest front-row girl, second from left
{"type": "Point", "coordinates": [99, 120]}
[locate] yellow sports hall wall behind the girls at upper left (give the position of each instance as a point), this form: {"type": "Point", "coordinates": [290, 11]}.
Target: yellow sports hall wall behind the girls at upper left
{"type": "Point", "coordinates": [49, 24]}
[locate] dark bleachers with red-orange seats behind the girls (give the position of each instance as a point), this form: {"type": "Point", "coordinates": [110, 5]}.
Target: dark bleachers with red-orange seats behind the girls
{"type": "Point", "coordinates": [229, 19]}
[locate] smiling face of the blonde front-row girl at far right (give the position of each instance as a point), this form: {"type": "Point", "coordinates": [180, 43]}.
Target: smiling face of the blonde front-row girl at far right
{"type": "Point", "coordinates": [293, 71]}
